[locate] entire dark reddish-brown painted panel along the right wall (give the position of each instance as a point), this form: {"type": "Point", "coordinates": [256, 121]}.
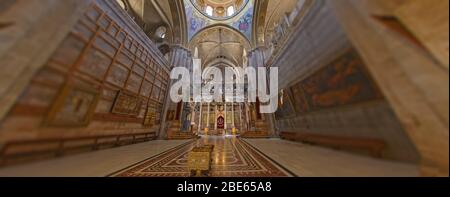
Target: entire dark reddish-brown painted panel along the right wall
{"type": "Point", "coordinates": [342, 82]}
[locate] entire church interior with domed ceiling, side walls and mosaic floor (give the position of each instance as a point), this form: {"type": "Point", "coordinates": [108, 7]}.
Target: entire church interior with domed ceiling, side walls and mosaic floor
{"type": "Point", "coordinates": [85, 88]}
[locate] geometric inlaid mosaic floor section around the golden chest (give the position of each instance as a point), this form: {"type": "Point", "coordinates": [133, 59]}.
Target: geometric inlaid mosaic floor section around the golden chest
{"type": "Point", "coordinates": [232, 157]}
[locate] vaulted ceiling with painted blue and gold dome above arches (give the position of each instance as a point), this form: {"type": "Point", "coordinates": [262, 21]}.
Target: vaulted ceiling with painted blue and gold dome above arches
{"type": "Point", "coordinates": [225, 40]}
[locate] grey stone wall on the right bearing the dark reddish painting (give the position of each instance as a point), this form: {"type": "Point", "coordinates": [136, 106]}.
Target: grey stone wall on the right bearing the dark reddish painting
{"type": "Point", "coordinates": [333, 102]}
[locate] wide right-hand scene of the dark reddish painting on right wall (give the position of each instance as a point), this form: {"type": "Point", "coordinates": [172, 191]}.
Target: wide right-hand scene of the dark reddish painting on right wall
{"type": "Point", "coordinates": [342, 82]}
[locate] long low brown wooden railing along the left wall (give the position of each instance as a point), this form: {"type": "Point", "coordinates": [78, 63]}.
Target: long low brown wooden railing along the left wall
{"type": "Point", "coordinates": [30, 150]}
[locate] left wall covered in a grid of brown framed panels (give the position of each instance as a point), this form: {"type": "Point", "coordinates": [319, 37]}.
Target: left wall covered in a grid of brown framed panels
{"type": "Point", "coordinates": [105, 77]}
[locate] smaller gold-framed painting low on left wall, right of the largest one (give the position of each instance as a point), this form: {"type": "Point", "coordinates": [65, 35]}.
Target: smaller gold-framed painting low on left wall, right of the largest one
{"type": "Point", "coordinates": [127, 104]}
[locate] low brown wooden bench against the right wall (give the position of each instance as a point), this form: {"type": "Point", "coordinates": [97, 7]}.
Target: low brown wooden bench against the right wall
{"type": "Point", "coordinates": [374, 146]}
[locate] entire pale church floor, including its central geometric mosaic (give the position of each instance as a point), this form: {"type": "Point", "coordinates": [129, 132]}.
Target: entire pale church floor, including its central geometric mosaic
{"type": "Point", "coordinates": [232, 157]}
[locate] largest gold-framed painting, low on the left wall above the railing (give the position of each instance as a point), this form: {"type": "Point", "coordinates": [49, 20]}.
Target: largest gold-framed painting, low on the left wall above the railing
{"type": "Point", "coordinates": [75, 106]}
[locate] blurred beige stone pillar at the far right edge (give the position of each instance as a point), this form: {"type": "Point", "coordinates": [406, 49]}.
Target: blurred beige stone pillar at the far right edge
{"type": "Point", "coordinates": [414, 83]}
